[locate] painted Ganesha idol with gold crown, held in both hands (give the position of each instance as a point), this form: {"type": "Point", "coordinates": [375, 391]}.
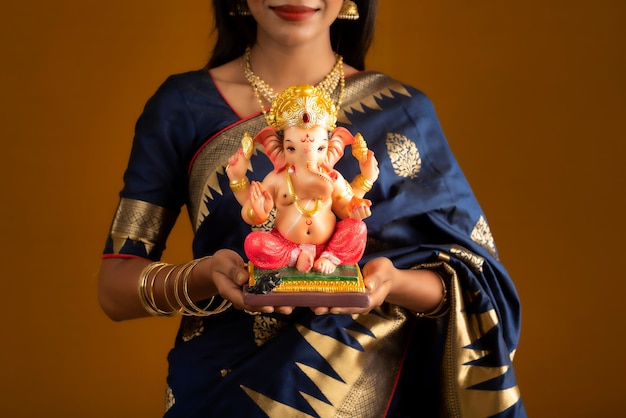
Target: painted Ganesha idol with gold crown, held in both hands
{"type": "Point", "coordinates": [309, 256]}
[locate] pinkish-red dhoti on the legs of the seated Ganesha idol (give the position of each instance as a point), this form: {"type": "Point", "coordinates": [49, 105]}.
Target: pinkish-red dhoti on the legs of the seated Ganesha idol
{"type": "Point", "coordinates": [270, 250]}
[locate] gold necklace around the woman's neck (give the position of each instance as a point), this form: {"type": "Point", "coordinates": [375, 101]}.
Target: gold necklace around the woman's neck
{"type": "Point", "coordinates": [328, 85]}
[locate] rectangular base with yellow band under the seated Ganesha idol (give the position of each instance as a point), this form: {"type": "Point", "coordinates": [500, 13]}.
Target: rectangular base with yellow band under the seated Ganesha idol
{"type": "Point", "coordinates": [342, 288]}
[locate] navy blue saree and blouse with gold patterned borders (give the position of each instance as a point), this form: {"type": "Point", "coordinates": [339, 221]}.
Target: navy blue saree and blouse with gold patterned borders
{"type": "Point", "coordinates": [390, 362]}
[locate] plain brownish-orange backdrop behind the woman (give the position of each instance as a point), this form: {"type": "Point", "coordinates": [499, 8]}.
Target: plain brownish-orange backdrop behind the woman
{"type": "Point", "coordinates": [531, 97]}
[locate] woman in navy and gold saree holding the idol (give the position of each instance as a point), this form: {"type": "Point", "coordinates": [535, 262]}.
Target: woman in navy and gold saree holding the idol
{"type": "Point", "coordinates": [439, 335]}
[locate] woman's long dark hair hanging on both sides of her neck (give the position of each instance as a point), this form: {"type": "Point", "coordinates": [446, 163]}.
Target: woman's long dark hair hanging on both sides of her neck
{"type": "Point", "coordinates": [350, 38]}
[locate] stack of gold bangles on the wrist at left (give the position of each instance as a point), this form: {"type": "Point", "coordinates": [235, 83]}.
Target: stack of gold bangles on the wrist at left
{"type": "Point", "coordinates": [184, 304]}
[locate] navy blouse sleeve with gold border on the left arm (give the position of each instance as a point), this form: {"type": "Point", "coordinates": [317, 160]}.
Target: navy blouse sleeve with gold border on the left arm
{"type": "Point", "coordinates": [155, 181]}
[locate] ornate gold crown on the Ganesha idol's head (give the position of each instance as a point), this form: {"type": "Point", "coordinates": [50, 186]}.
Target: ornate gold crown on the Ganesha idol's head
{"type": "Point", "coordinates": [305, 106]}
